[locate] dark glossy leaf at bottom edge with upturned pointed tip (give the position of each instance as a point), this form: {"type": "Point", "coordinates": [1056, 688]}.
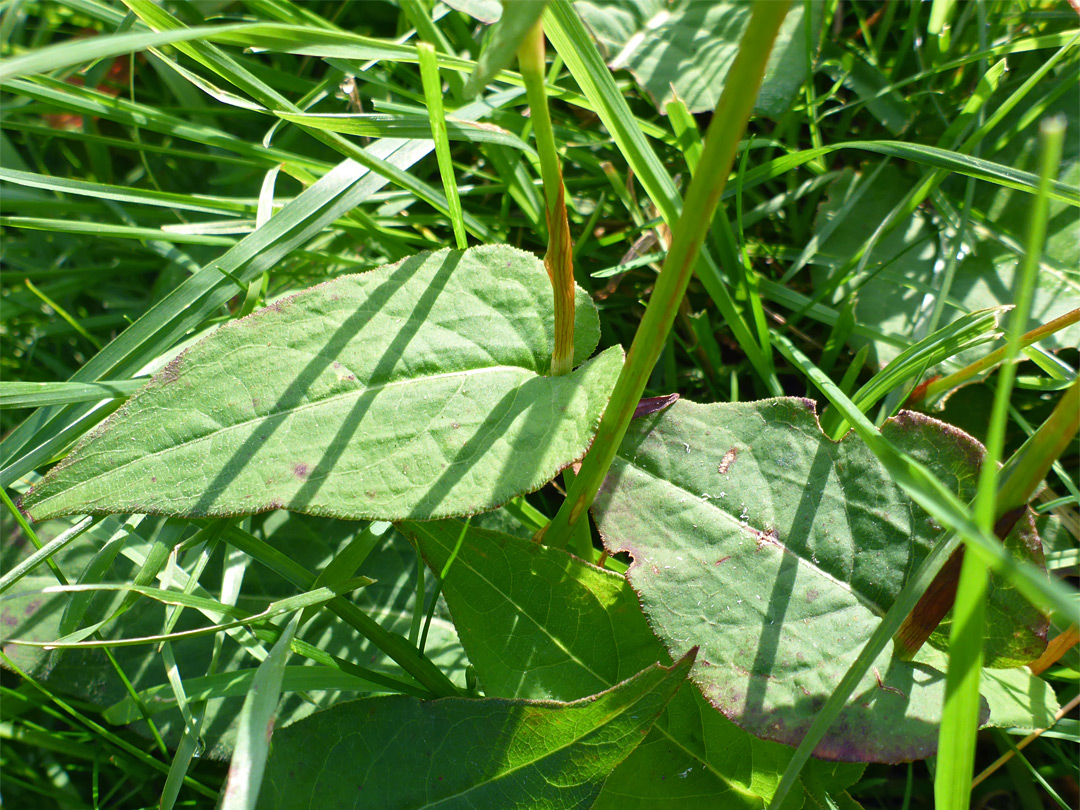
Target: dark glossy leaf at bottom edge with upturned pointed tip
{"type": "Point", "coordinates": [406, 753]}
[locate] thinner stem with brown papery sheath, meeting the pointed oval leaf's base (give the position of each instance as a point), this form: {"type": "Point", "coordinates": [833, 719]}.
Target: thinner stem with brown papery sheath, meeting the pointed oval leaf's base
{"type": "Point", "coordinates": [560, 259]}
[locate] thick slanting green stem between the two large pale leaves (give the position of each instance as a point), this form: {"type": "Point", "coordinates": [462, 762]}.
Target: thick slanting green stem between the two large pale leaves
{"type": "Point", "coordinates": [730, 123]}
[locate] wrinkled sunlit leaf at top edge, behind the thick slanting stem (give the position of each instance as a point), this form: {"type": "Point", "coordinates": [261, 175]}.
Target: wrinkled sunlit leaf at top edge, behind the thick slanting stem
{"type": "Point", "coordinates": [687, 50]}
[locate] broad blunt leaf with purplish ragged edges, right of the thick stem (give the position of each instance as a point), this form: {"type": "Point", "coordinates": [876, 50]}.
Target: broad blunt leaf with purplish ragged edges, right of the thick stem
{"type": "Point", "coordinates": [778, 552]}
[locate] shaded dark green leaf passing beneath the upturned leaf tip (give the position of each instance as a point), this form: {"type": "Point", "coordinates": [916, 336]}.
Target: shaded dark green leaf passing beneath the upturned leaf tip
{"type": "Point", "coordinates": [541, 624]}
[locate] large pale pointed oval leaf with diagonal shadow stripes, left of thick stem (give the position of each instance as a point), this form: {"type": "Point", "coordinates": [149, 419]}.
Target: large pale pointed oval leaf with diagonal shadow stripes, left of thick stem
{"type": "Point", "coordinates": [415, 390]}
